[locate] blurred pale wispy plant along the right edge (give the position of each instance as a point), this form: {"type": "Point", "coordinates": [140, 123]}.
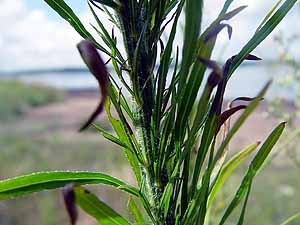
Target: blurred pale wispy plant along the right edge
{"type": "Point", "coordinates": [289, 108]}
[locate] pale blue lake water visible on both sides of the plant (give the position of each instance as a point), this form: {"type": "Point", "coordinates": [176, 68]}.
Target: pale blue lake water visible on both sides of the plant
{"type": "Point", "coordinates": [246, 81]}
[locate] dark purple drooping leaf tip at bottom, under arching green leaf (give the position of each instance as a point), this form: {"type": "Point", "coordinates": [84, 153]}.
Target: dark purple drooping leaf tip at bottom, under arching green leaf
{"type": "Point", "coordinates": [70, 203]}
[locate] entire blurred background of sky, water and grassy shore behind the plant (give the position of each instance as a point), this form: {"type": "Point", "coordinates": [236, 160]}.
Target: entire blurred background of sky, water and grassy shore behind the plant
{"type": "Point", "coordinates": [46, 93]}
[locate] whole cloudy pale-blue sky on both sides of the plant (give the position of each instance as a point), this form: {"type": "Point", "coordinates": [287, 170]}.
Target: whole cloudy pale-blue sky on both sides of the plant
{"type": "Point", "coordinates": [33, 36]}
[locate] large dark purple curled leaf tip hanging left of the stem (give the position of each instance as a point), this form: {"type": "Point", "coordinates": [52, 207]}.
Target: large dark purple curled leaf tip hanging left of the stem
{"type": "Point", "coordinates": [97, 67]}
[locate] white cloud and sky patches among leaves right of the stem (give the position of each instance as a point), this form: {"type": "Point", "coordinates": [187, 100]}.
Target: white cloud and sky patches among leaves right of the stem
{"type": "Point", "coordinates": [245, 24]}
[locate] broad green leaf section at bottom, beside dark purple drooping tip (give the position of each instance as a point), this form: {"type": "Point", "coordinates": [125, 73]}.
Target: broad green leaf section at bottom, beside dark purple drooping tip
{"type": "Point", "coordinates": [93, 206]}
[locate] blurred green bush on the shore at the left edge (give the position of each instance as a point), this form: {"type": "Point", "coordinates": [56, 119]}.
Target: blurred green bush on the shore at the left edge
{"type": "Point", "coordinates": [16, 98]}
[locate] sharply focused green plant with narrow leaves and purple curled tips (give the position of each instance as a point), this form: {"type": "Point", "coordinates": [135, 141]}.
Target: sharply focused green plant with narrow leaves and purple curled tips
{"type": "Point", "coordinates": [158, 131]}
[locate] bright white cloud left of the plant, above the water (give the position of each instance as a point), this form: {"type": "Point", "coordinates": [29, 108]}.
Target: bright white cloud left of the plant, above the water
{"type": "Point", "coordinates": [32, 40]}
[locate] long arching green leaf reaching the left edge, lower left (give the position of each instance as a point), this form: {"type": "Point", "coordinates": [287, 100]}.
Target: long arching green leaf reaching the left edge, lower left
{"type": "Point", "coordinates": [36, 182]}
